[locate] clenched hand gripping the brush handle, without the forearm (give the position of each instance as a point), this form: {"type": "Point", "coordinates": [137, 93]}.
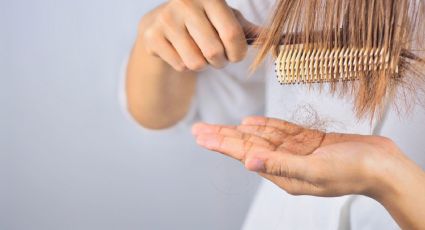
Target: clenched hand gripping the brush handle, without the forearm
{"type": "Point", "coordinates": [191, 34]}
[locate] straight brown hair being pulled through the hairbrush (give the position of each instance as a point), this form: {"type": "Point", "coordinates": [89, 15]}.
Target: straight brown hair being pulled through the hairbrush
{"type": "Point", "coordinates": [396, 26]}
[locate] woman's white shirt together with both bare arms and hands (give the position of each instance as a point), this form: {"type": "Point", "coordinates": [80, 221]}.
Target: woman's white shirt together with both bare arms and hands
{"type": "Point", "coordinates": [162, 80]}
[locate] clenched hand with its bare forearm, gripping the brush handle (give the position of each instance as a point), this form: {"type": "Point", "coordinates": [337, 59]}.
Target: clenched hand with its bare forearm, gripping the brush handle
{"type": "Point", "coordinates": [175, 41]}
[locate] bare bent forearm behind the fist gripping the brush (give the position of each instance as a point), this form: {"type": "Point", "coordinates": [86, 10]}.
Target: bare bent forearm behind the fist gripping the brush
{"type": "Point", "coordinates": [158, 96]}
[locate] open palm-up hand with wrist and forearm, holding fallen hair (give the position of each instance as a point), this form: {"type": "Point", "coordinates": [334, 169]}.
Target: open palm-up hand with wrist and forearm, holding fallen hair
{"type": "Point", "coordinates": [310, 162]}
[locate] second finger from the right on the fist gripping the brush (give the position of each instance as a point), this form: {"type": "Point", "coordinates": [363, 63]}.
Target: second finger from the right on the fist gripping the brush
{"type": "Point", "coordinates": [206, 37]}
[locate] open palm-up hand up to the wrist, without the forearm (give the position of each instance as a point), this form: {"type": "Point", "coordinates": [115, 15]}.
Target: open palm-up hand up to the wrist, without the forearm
{"type": "Point", "coordinates": [304, 161]}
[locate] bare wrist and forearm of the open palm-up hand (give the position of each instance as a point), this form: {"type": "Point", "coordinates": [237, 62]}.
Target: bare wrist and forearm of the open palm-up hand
{"type": "Point", "coordinates": [405, 195]}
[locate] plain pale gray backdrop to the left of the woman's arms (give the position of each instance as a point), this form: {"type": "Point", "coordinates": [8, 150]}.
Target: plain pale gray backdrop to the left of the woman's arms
{"type": "Point", "coordinates": [69, 157]}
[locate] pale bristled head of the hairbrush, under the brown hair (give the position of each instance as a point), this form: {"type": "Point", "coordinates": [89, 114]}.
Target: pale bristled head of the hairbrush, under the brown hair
{"type": "Point", "coordinates": [301, 64]}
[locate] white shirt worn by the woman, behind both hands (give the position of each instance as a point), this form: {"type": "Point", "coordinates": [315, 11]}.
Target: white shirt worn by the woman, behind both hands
{"type": "Point", "coordinates": [227, 95]}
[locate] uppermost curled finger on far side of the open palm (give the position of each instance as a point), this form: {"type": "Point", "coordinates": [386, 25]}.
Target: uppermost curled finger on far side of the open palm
{"type": "Point", "coordinates": [283, 126]}
